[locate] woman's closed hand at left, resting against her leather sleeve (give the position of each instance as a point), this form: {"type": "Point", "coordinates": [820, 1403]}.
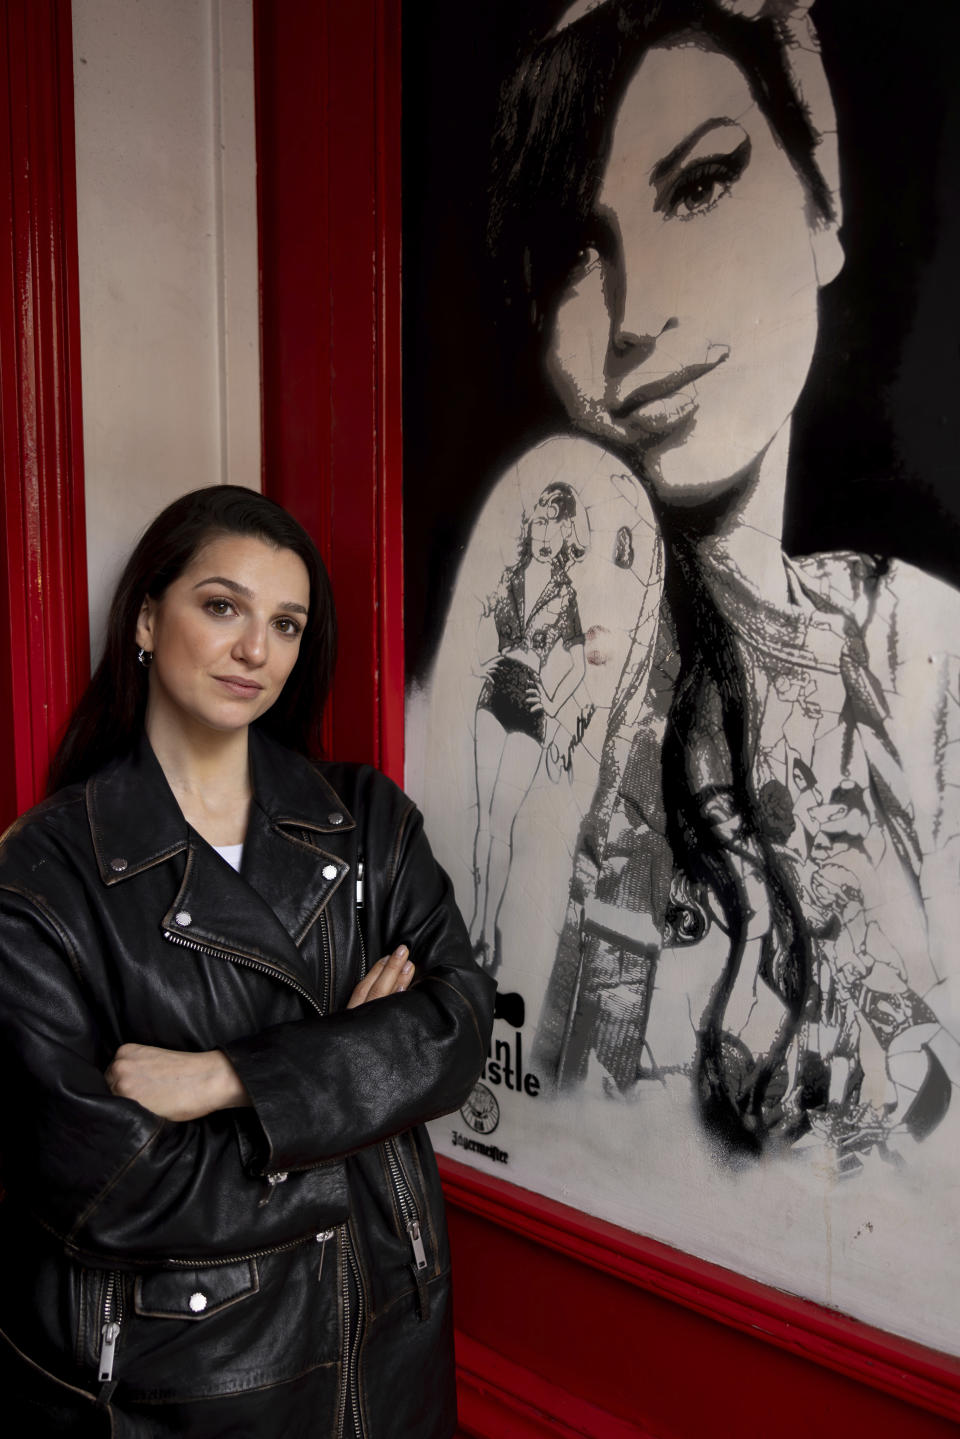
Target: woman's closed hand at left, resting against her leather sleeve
{"type": "Point", "coordinates": [176, 1084]}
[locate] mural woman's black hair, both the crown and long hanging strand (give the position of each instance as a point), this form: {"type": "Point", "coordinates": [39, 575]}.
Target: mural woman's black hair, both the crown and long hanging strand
{"type": "Point", "coordinates": [551, 155]}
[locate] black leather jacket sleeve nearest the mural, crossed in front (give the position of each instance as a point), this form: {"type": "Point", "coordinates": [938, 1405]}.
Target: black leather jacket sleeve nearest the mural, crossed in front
{"type": "Point", "coordinates": [327, 1087]}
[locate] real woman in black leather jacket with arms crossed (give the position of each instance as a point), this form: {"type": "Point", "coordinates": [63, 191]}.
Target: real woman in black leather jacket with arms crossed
{"type": "Point", "coordinates": [222, 1209]}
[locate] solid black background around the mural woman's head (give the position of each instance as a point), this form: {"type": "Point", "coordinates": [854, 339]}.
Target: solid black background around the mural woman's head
{"type": "Point", "coordinates": [876, 455]}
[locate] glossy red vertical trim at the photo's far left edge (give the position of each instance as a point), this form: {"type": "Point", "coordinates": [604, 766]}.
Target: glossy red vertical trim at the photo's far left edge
{"type": "Point", "coordinates": [44, 618]}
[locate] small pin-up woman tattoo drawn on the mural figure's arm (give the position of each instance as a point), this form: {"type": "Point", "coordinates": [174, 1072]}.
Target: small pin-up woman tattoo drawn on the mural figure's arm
{"type": "Point", "coordinates": [535, 615]}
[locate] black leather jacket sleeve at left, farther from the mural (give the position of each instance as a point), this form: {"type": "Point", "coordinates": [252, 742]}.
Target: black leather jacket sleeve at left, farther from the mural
{"type": "Point", "coordinates": [114, 1182]}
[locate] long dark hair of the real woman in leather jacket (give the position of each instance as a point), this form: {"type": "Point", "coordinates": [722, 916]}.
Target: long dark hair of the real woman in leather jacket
{"type": "Point", "coordinates": [110, 717]}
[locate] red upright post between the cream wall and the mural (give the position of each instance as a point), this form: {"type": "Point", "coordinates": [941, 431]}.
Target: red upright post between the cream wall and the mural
{"type": "Point", "coordinates": [329, 142]}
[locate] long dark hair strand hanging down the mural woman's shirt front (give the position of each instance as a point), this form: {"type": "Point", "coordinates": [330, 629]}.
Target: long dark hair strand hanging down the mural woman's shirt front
{"type": "Point", "coordinates": [738, 1093]}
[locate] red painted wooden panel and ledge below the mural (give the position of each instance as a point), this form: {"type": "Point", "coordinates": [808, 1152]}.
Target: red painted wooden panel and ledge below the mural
{"type": "Point", "coordinates": [656, 1339]}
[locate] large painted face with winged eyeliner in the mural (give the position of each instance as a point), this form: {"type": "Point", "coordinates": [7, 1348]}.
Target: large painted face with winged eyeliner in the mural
{"type": "Point", "coordinates": [687, 329]}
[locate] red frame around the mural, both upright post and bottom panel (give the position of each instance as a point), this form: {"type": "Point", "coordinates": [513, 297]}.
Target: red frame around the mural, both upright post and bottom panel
{"type": "Point", "coordinates": [566, 1325]}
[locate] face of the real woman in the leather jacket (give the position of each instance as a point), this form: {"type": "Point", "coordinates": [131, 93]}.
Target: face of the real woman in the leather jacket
{"type": "Point", "coordinates": [225, 635]}
